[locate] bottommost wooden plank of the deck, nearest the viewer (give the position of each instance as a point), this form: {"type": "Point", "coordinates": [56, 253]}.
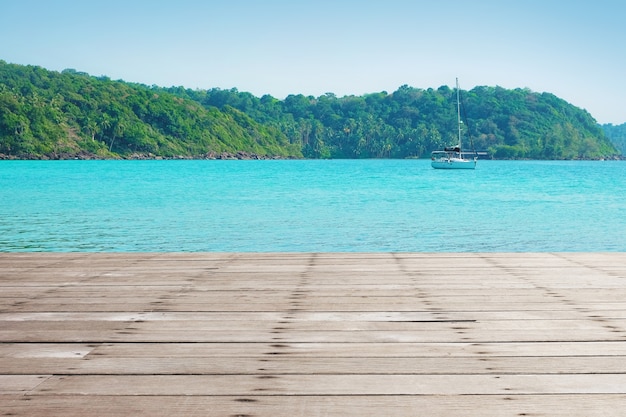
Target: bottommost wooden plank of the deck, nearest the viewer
{"type": "Point", "coordinates": [510, 405]}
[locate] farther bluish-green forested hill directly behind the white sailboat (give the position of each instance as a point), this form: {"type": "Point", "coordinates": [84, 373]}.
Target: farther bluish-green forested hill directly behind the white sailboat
{"type": "Point", "coordinates": [411, 122]}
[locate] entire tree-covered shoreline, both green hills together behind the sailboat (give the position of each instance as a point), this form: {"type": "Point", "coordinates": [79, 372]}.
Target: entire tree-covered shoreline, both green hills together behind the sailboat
{"type": "Point", "coordinates": [46, 114]}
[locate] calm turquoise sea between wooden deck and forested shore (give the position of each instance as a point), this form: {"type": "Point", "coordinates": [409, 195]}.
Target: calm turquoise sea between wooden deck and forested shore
{"type": "Point", "coordinates": [301, 206]}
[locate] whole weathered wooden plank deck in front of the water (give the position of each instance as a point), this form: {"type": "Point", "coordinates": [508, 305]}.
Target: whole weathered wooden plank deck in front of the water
{"type": "Point", "coordinates": [540, 334]}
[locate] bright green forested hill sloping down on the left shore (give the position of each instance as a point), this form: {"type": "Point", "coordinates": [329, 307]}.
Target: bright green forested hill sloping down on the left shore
{"type": "Point", "coordinates": [46, 113]}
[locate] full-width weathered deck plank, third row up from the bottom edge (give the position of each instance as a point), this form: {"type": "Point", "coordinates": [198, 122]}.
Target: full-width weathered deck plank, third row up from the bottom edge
{"type": "Point", "coordinates": [297, 365]}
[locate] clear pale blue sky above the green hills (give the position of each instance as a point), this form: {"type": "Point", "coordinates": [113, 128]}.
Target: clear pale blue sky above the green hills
{"type": "Point", "coordinates": [571, 48]}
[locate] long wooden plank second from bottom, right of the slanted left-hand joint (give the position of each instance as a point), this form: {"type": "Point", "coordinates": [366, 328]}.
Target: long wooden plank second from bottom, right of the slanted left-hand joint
{"type": "Point", "coordinates": [331, 385]}
